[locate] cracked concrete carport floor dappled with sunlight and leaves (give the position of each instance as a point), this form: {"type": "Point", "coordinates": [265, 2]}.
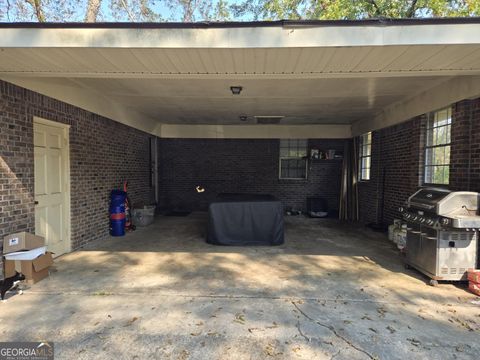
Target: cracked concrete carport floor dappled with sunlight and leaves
{"type": "Point", "coordinates": [332, 291]}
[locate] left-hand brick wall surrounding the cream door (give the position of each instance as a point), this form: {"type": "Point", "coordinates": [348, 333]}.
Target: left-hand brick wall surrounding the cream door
{"type": "Point", "coordinates": [102, 154]}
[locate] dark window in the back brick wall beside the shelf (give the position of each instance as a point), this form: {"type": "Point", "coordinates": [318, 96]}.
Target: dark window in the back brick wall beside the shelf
{"type": "Point", "coordinates": [293, 159]}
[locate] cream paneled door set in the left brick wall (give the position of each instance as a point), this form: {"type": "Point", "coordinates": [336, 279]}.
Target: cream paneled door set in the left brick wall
{"type": "Point", "coordinates": [52, 213]}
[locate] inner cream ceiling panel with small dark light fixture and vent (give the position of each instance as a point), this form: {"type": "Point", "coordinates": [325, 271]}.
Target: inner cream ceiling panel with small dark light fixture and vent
{"type": "Point", "coordinates": [301, 101]}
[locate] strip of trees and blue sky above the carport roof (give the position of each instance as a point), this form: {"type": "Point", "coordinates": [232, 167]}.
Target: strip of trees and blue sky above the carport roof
{"type": "Point", "coordinates": [228, 10]}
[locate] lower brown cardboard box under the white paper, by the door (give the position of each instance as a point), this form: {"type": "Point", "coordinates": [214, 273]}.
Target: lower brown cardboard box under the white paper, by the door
{"type": "Point", "coordinates": [34, 270]}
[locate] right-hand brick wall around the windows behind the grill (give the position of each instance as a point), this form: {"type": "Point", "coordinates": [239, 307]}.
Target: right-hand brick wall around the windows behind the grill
{"type": "Point", "coordinates": [397, 152]}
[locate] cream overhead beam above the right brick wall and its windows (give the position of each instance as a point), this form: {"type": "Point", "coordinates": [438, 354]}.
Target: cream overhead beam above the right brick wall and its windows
{"type": "Point", "coordinates": [440, 96]}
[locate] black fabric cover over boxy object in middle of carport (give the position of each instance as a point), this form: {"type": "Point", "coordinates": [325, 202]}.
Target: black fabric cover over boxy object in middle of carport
{"type": "Point", "coordinates": [245, 219]}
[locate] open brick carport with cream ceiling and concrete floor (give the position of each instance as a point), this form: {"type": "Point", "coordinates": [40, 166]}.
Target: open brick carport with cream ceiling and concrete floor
{"type": "Point", "coordinates": [155, 104]}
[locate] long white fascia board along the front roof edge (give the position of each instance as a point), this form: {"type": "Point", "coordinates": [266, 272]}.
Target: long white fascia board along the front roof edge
{"type": "Point", "coordinates": [245, 37]}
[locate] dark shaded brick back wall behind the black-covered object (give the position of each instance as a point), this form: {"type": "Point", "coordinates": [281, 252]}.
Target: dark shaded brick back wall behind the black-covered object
{"type": "Point", "coordinates": [248, 166]}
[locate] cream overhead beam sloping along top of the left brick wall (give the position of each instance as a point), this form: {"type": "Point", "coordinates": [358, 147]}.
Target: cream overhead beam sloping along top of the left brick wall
{"type": "Point", "coordinates": [88, 100]}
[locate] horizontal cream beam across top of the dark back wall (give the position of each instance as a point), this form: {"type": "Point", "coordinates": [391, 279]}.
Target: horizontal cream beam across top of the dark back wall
{"type": "Point", "coordinates": [254, 131]}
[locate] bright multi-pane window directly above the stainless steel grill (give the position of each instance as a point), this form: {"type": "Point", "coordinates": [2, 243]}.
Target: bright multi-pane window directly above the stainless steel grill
{"type": "Point", "coordinates": [437, 147]}
